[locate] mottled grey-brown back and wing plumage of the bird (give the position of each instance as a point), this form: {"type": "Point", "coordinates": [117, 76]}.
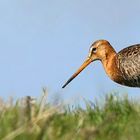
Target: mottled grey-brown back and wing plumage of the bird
{"type": "Point", "coordinates": [129, 65]}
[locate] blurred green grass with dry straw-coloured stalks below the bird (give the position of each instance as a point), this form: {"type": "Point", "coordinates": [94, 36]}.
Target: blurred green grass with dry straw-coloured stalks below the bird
{"type": "Point", "coordinates": [117, 119]}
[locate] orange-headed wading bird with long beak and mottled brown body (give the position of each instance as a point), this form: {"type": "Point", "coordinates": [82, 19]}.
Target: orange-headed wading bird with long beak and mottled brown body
{"type": "Point", "coordinates": [122, 67]}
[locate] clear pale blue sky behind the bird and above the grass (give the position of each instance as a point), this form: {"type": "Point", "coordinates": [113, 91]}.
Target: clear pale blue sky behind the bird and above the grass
{"type": "Point", "coordinates": [43, 42]}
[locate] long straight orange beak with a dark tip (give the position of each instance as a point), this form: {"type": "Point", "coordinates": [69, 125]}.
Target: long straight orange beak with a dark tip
{"type": "Point", "coordinates": [82, 67]}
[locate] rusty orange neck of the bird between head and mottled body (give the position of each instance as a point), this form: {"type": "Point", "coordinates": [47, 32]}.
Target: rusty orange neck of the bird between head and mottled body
{"type": "Point", "coordinates": [110, 65]}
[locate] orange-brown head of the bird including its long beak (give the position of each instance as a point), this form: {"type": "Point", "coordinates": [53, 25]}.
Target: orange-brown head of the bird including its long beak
{"type": "Point", "coordinates": [99, 50]}
